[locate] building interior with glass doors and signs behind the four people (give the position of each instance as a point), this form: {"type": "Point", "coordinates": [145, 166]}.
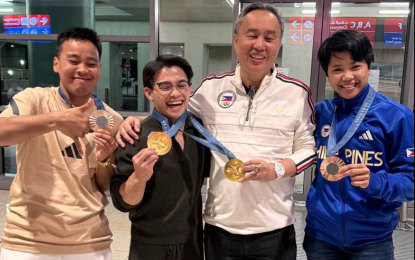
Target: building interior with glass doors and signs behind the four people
{"type": "Point", "coordinates": [135, 31]}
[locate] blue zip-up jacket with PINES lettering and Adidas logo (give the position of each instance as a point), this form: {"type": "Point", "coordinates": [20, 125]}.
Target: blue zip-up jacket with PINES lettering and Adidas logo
{"type": "Point", "coordinates": [348, 216]}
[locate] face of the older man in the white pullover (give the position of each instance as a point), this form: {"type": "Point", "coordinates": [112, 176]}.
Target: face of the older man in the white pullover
{"type": "Point", "coordinates": [258, 42]}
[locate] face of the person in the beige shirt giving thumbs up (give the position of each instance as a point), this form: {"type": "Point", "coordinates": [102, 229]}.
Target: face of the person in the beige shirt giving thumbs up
{"type": "Point", "coordinates": [79, 67]}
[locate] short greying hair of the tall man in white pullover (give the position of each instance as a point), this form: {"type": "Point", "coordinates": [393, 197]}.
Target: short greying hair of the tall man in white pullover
{"type": "Point", "coordinates": [262, 7]}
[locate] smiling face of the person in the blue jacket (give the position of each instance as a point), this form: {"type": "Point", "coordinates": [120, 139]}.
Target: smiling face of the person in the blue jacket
{"type": "Point", "coordinates": [346, 76]}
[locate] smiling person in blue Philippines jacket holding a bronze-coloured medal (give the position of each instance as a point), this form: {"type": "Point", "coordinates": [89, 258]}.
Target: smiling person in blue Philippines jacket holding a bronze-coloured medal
{"type": "Point", "coordinates": [352, 213]}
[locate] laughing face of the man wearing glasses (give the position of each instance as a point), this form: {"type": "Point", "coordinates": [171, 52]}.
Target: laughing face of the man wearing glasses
{"type": "Point", "coordinates": [170, 103]}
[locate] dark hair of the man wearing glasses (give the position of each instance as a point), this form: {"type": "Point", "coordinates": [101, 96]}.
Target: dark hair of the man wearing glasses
{"type": "Point", "coordinates": [165, 61]}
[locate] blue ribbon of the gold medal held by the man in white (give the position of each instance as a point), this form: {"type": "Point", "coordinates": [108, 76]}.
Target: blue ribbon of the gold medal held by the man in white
{"type": "Point", "coordinates": [210, 142]}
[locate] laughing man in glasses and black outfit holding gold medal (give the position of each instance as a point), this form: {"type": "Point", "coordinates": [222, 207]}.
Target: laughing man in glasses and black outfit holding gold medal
{"type": "Point", "coordinates": [163, 193]}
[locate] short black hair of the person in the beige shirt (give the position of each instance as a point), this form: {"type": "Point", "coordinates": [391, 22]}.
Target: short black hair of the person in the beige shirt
{"type": "Point", "coordinates": [79, 34]}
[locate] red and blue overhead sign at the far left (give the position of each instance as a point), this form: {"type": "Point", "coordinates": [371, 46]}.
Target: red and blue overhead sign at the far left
{"type": "Point", "coordinates": [27, 24]}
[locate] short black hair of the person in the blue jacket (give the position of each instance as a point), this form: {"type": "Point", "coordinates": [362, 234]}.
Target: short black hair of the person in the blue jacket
{"type": "Point", "coordinates": [357, 43]}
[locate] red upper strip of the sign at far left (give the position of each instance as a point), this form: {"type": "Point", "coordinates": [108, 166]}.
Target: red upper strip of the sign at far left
{"type": "Point", "coordinates": [10, 21]}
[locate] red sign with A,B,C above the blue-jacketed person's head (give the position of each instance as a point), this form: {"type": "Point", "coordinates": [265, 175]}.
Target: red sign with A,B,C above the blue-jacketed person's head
{"type": "Point", "coordinates": [366, 25]}
